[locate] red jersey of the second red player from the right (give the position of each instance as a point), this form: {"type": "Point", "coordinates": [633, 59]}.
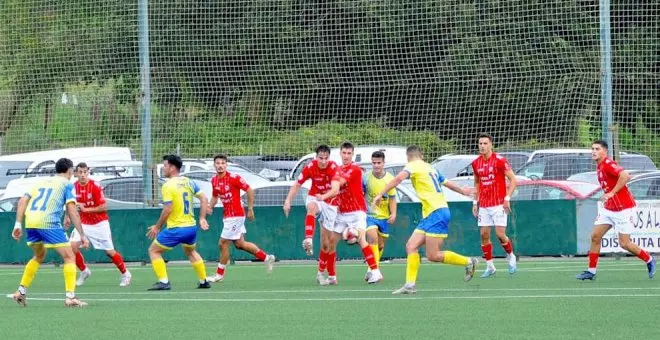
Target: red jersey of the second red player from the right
{"type": "Point", "coordinates": [492, 181]}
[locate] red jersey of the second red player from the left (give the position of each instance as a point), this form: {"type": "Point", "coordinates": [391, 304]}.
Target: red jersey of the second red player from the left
{"type": "Point", "coordinates": [228, 189]}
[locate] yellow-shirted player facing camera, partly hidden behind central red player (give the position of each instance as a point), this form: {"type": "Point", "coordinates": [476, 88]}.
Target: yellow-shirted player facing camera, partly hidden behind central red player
{"type": "Point", "coordinates": [379, 217]}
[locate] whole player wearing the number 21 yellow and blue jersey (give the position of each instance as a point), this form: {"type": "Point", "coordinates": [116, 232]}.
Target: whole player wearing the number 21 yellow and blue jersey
{"type": "Point", "coordinates": [43, 209]}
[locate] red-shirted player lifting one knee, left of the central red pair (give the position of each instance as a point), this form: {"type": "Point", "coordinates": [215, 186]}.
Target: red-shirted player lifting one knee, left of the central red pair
{"type": "Point", "coordinates": [322, 201]}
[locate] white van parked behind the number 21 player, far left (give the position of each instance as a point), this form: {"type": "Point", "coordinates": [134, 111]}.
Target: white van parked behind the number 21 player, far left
{"type": "Point", "coordinates": [17, 165]}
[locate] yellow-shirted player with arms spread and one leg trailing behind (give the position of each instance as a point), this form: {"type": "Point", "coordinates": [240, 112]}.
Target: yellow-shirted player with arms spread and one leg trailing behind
{"type": "Point", "coordinates": [434, 227]}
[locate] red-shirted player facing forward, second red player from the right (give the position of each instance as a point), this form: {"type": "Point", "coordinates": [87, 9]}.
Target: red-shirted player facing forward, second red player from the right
{"type": "Point", "coordinates": [492, 202]}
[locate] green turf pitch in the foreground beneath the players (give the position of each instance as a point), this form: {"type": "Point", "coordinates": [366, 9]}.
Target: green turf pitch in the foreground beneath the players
{"type": "Point", "coordinates": [542, 300]}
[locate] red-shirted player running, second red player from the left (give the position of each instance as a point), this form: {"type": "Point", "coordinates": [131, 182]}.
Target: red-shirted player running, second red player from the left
{"type": "Point", "coordinates": [227, 188]}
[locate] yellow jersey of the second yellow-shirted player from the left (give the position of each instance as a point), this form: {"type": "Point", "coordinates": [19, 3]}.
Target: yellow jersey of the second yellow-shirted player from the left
{"type": "Point", "coordinates": [179, 192]}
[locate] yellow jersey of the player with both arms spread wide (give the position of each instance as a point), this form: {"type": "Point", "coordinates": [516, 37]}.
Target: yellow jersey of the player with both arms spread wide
{"type": "Point", "coordinates": [428, 185]}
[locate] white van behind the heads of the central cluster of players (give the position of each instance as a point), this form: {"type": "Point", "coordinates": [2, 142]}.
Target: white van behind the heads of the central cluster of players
{"type": "Point", "coordinates": [362, 154]}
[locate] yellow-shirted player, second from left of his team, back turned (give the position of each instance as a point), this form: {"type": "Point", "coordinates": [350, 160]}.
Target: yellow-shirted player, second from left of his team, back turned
{"type": "Point", "coordinates": [178, 213]}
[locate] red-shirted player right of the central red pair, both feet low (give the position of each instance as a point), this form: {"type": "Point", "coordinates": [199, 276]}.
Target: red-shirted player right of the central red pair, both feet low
{"type": "Point", "coordinates": [352, 213]}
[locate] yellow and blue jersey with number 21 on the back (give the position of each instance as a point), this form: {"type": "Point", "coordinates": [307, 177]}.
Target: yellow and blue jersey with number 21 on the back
{"type": "Point", "coordinates": [47, 201]}
